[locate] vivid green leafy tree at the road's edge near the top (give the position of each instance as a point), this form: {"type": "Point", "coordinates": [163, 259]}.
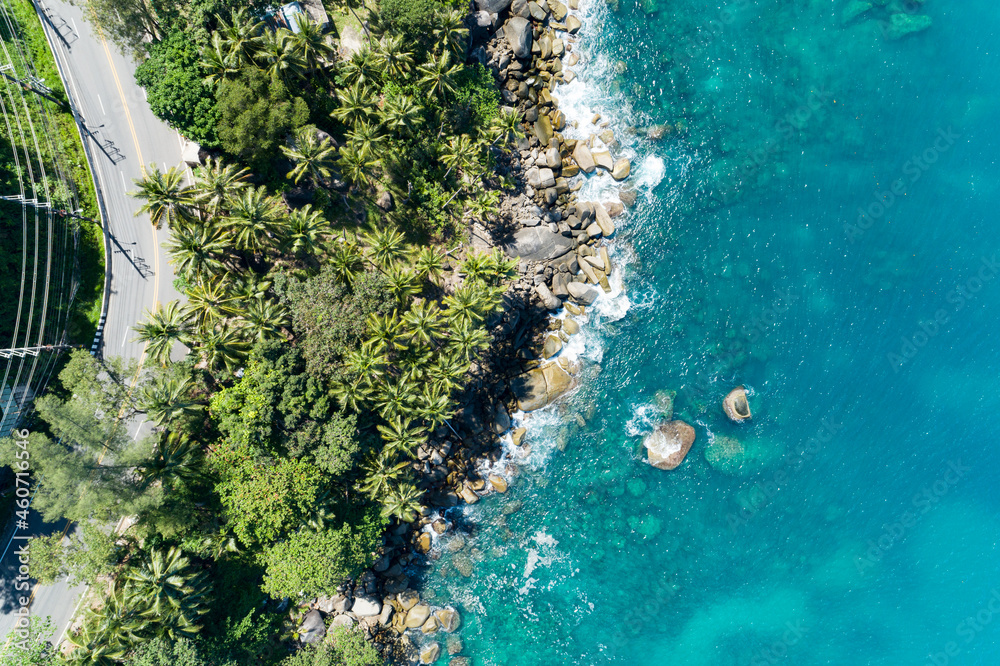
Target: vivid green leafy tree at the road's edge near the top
{"type": "Point", "coordinates": [173, 82]}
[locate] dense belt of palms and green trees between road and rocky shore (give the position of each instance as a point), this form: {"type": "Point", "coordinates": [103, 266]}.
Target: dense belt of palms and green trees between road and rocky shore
{"type": "Point", "coordinates": [330, 316]}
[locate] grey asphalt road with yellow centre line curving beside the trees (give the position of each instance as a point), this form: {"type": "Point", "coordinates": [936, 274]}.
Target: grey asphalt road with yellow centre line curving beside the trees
{"type": "Point", "coordinates": [124, 137]}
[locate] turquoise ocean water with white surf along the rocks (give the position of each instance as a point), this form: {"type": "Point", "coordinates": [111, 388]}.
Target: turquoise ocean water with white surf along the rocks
{"type": "Point", "coordinates": [860, 525]}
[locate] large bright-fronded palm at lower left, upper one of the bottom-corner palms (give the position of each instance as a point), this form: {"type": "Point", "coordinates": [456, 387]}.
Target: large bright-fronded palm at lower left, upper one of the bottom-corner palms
{"type": "Point", "coordinates": [172, 591]}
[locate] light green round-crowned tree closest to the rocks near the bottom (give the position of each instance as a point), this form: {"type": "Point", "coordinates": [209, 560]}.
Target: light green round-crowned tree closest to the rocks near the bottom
{"type": "Point", "coordinates": [316, 559]}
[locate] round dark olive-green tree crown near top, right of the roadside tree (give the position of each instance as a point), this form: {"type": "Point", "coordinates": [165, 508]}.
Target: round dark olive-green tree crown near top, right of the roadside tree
{"type": "Point", "coordinates": [256, 112]}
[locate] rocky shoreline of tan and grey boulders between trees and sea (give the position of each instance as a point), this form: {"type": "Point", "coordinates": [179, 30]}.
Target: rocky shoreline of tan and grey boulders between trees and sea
{"type": "Point", "coordinates": [564, 263]}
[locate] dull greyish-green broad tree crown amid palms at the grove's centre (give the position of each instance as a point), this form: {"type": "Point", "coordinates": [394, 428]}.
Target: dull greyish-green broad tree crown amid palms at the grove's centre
{"type": "Point", "coordinates": [330, 317]}
